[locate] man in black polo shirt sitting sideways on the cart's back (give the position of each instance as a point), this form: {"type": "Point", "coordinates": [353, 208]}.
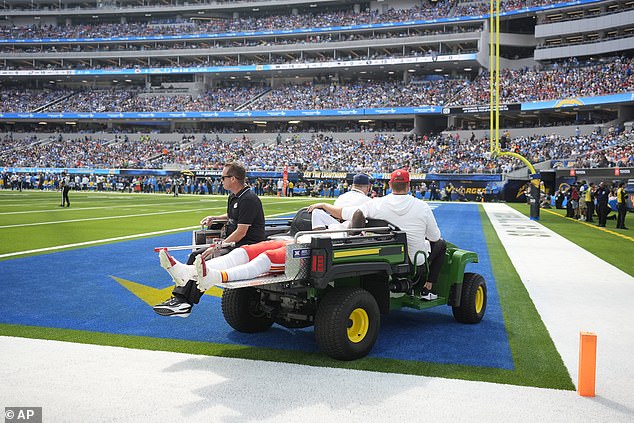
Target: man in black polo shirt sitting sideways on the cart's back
{"type": "Point", "coordinates": [245, 225]}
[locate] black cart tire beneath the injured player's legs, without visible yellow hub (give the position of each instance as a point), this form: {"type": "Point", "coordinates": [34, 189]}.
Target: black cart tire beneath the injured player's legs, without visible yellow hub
{"type": "Point", "coordinates": [241, 308]}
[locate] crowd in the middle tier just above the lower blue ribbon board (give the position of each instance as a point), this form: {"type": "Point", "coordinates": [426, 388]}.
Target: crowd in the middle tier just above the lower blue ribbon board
{"type": "Point", "coordinates": [559, 81]}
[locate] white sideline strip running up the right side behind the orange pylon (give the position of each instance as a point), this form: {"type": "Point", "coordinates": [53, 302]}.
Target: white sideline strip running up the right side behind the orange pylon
{"type": "Point", "coordinates": [574, 291]}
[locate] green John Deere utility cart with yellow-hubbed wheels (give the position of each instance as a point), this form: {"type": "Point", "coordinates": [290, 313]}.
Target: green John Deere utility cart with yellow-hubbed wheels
{"type": "Point", "coordinates": [343, 285]}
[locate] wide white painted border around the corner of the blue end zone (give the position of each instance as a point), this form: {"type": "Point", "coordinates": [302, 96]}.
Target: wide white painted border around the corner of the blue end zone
{"type": "Point", "coordinates": [76, 382]}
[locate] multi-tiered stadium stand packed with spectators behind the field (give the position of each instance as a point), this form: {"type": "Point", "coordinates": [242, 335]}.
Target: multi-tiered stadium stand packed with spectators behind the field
{"type": "Point", "coordinates": [343, 87]}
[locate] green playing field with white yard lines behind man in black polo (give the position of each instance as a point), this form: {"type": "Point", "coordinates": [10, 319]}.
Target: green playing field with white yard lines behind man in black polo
{"type": "Point", "coordinates": [101, 216]}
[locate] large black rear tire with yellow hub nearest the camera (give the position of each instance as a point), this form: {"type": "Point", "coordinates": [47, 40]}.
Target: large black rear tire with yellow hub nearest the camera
{"type": "Point", "coordinates": [347, 323]}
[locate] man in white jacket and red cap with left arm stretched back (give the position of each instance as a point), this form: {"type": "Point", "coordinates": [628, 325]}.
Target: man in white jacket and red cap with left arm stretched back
{"type": "Point", "coordinates": [412, 216]}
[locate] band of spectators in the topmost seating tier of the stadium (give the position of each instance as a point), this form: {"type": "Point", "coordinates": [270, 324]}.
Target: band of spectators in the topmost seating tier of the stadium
{"type": "Point", "coordinates": [426, 11]}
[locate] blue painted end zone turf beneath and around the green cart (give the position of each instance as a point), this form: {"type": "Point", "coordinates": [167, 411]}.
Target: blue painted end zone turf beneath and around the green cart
{"type": "Point", "coordinates": [75, 290]}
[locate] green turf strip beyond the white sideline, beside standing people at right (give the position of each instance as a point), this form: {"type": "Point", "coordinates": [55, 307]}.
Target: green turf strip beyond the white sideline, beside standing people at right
{"type": "Point", "coordinates": [615, 246]}
